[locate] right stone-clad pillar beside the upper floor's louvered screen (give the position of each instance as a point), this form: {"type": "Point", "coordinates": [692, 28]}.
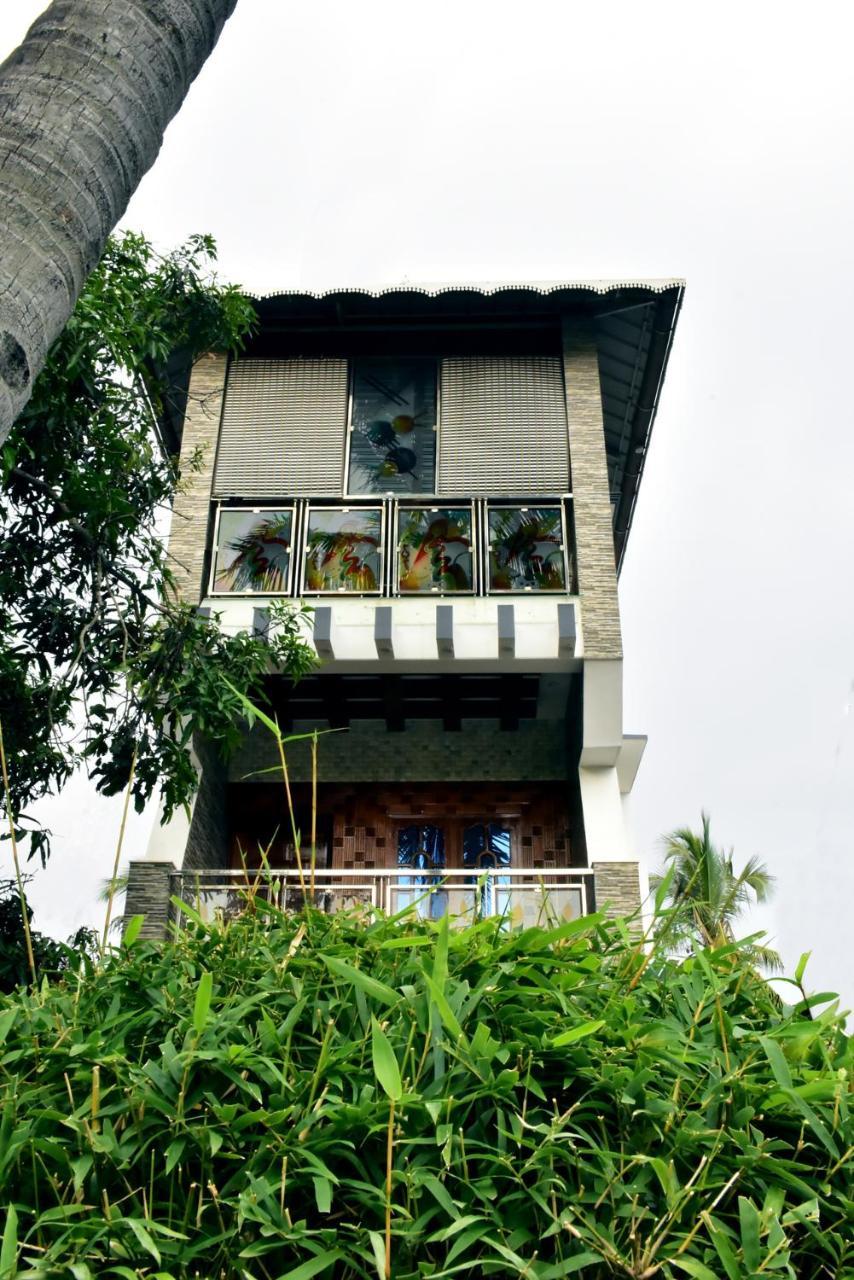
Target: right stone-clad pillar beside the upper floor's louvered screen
{"type": "Point", "coordinates": [591, 496]}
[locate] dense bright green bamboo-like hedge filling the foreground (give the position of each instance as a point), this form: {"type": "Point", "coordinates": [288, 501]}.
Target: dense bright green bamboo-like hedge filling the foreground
{"type": "Point", "coordinates": [564, 1103]}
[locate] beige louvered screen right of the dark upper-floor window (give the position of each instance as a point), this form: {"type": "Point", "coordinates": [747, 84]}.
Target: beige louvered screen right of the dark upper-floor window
{"type": "Point", "coordinates": [503, 427]}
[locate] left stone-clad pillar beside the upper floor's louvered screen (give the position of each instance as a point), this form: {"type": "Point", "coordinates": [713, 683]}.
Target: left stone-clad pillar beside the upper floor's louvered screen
{"type": "Point", "coordinates": [191, 509]}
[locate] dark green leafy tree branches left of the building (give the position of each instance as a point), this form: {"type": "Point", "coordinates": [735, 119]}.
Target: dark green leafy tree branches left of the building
{"type": "Point", "coordinates": [98, 660]}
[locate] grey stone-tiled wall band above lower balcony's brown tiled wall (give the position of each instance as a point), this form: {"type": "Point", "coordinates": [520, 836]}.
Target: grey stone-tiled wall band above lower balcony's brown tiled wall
{"type": "Point", "coordinates": [537, 752]}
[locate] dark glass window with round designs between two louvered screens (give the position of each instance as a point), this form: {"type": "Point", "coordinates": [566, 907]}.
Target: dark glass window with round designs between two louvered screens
{"type": "Point", "coordinates": [392, 442]}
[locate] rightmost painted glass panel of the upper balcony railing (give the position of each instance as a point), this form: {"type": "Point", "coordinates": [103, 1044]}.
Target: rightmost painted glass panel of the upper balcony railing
{"type": "Point", "coordinates": [527, 550]}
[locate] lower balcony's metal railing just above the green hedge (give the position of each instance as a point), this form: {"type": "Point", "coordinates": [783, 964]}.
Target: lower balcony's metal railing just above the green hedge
{"type": "Point", "coordinates": [523, 897]}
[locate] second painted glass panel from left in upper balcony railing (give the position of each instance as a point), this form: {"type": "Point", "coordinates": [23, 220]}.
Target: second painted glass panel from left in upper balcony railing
{"type": "Point", "coordinates": [344, 550]}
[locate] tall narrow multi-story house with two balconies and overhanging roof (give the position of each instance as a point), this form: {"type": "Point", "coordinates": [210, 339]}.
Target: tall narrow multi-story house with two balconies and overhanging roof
{"type": "Point", "coordinates": [449, 477]}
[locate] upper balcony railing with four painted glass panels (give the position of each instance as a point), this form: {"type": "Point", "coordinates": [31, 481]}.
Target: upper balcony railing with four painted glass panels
{"type": "Point", "coordinates": [394, 547]}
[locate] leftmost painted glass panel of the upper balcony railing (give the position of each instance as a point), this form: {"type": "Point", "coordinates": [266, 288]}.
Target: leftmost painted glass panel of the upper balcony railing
{"type": "Point", "coordinates": [253, 551]}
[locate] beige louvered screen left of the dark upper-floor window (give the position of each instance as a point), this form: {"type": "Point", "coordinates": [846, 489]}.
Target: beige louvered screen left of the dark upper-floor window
{"type": "Point", "coordinates": [285, 426]}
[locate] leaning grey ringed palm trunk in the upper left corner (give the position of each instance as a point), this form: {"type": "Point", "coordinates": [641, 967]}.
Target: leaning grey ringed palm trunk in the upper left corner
{"type": "Point", "coordinates": [84, 106]}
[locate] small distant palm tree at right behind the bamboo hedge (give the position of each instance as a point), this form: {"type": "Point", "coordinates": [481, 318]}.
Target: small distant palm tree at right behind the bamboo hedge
{"type": "Point", "coordinates": [707, 893]}
